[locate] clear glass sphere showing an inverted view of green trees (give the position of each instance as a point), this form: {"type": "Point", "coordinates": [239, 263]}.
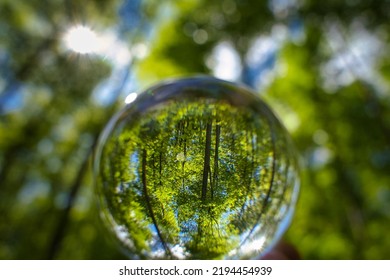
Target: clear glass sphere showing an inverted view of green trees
{"type": "Point", "coordinates": [196, 168]}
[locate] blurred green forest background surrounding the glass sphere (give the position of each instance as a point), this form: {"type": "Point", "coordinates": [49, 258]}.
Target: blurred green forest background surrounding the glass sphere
{"type": "Point", "coordinates": [327, 78]}
